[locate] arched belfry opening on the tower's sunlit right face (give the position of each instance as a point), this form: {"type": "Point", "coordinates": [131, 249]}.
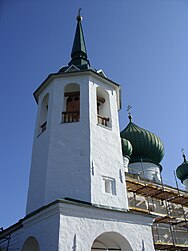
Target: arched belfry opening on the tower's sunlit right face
{"type": "Point", "coordinates": [103, 108]}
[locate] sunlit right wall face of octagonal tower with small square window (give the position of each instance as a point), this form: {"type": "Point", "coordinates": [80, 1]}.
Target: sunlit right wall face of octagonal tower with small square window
{"type": "Point", "coordinates": [106, 153]}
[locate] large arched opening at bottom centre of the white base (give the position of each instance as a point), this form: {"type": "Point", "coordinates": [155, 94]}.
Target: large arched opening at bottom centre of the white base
{"type": "Point", "coordinates": [111, 241]}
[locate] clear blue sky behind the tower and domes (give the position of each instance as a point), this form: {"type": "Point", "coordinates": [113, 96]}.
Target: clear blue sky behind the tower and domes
{"type": "Point", "coordinates": [140, 44]}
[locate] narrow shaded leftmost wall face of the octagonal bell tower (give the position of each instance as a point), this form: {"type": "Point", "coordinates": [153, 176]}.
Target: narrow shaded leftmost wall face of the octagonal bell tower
{"type": "Point", "coordinates": [38, 171]}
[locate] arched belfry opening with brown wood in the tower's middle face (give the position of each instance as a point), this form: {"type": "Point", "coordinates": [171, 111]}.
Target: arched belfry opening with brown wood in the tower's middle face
{"type": "Point", "coordinates": [71, 111]}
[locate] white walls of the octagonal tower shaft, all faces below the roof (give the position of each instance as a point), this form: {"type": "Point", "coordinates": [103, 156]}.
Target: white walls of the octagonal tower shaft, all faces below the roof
{"type": "Point", "coordinates": [70, 159]}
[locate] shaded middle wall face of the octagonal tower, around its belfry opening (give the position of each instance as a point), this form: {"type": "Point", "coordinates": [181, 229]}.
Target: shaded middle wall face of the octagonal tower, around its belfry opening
{"type": "Point", "coordinates": [68, 160]}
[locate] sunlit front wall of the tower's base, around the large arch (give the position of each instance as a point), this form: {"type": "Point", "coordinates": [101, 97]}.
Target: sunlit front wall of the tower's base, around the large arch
{"type": "Point", "coordinates": [89, 223]}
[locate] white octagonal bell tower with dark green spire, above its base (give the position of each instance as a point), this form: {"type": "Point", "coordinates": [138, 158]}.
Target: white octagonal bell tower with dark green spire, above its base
{"type": "Point", "coordinates": [77, 147]}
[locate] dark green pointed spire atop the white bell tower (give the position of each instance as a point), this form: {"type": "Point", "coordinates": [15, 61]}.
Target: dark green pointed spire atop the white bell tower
{"type": "Point", "coordinates": [79, 53]}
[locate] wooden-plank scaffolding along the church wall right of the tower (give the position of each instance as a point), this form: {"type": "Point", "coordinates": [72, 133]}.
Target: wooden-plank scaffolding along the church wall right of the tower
{"type": "Point", "coordinates": [167, 204]}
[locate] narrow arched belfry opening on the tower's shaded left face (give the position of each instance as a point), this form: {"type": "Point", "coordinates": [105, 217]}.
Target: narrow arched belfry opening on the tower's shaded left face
{"type": "Point", "coordinates": [43, 114]}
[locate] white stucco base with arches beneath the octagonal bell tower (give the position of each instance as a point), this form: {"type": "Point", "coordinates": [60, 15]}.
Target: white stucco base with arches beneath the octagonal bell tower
{"type": "Point", "coordinates": [72, 226]}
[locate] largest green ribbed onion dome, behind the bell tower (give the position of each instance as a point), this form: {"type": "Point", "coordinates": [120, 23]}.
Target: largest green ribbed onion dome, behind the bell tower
{"type": "Point", "coordinates": [147, 146]}
